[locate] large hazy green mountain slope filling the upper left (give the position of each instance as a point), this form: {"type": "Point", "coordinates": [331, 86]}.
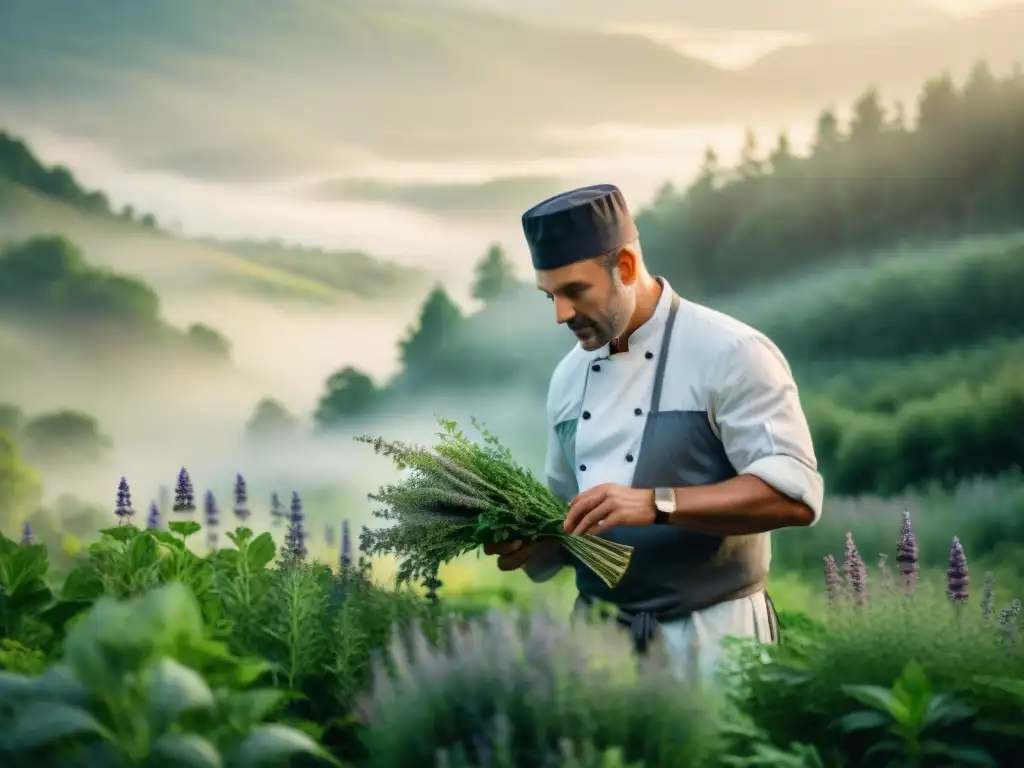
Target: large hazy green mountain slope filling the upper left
{"type": "Point", "coordinates": [247, 89]}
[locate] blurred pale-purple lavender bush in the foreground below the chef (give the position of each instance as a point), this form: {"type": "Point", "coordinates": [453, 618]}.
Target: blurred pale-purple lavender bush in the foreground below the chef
{"type": "Point", "coordinates": [520, 688]}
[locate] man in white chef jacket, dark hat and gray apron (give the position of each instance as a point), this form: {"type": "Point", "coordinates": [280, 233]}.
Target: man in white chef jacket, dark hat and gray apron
{"type": "Point", "coordinates": [672, 429]}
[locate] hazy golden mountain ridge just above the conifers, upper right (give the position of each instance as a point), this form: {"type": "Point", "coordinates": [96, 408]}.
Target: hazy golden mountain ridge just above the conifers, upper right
{"type": "Point", "coordinates": [897, 61]}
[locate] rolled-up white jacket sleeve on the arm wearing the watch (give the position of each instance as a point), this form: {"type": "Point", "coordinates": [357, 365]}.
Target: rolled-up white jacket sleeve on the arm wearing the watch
{"type": "Point", "coordinates": [761, 422]}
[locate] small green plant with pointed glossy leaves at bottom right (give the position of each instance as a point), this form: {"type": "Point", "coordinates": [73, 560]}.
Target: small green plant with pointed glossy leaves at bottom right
{"type": "Point", "coordinates": [912, 714]}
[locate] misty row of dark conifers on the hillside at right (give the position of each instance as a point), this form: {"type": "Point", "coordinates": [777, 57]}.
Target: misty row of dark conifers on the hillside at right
{"type": "Point", "coordinates": [956, 169]}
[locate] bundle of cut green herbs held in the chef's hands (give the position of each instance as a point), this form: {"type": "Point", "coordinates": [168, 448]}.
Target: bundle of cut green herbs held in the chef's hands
{"type": "Point", "coordinates": [461, 495]}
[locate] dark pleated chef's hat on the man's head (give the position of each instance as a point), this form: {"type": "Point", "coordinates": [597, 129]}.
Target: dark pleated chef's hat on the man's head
{"type": "Point", "coordinates": [578, 226]}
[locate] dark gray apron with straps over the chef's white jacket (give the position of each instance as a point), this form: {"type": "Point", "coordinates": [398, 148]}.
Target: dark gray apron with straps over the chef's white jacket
{"type": "Point", "coordinates": [674, 573]}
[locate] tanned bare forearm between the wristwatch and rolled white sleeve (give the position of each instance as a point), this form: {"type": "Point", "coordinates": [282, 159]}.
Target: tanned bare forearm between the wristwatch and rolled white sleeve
{"type": "Point", "coordinates": [741, 506]}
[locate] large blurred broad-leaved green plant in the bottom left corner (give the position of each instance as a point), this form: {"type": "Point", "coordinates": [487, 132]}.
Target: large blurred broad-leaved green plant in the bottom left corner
{"type": "Point", "coordinates": [142, 685]}
